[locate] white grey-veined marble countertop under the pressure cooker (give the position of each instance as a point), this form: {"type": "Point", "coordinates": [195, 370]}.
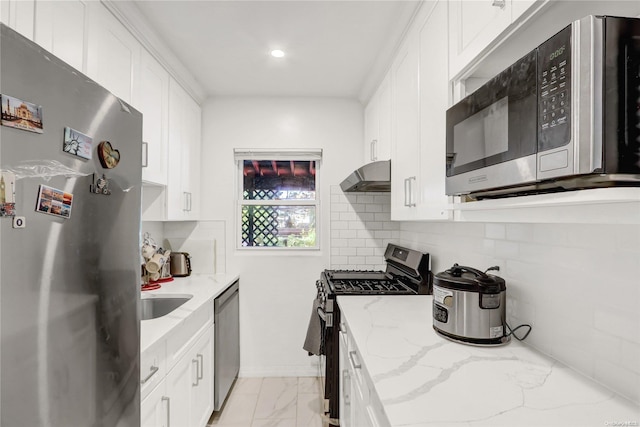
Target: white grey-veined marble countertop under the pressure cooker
{"type": "Point", "coordinates": [423, 379]}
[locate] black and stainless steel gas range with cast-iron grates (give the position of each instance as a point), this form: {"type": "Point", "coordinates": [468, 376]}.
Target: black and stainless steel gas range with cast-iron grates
{"type": "Point", "coordinates": [407, 273]}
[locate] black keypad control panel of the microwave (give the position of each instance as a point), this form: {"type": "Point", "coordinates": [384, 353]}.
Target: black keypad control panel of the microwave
{"type": "Point", "coordinates": [554, 91]}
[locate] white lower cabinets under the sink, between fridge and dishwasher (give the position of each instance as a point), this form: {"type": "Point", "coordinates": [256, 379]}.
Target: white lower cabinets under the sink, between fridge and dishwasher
{"type": "Point", "coordinates": [184, 397]}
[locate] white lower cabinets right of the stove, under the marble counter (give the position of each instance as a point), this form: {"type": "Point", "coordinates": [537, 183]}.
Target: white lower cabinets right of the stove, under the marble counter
{"type": "Point", "coordinates": [359, 403]}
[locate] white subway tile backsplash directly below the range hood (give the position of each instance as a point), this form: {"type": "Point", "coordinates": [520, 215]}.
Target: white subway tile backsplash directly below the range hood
{"type": "Point", "coordinates": [361, 228]}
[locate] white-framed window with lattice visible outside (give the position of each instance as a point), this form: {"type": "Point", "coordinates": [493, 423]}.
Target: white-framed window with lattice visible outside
{"type": "Point", "coordinates": [278, 202]}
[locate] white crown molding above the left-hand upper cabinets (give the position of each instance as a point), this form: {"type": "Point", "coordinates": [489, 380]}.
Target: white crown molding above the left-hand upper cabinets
{"type": "Point", "coordinates": [130, 16]}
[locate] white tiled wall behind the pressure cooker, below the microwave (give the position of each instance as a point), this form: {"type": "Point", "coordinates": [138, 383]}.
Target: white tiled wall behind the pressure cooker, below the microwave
{"type": "Point", "coordinates": [576, 284]}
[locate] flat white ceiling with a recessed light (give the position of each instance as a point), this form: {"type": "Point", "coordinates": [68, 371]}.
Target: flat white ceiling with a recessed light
{"type": "Point", "coordinates": [333, 48]}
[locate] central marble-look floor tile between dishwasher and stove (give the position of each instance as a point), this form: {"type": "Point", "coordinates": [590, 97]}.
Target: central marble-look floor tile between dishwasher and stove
{"type": "Point", "coordinates": [277, 398]}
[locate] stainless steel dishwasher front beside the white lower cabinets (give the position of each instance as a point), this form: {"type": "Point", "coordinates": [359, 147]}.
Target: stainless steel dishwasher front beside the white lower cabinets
{"type": "Point", "coordinates": [227, 342]}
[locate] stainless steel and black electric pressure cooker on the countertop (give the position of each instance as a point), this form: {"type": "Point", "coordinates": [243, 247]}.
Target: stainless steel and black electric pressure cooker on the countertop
{"type": "Point", "coordinates": [469, 306]}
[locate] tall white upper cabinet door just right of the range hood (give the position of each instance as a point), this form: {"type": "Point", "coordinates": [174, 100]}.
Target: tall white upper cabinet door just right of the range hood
{"type": "Point", "coordinates": [405, 127]}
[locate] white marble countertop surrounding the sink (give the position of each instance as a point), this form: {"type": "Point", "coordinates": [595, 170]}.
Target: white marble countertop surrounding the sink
{"type": "Point", "coordinates": [203, 287]}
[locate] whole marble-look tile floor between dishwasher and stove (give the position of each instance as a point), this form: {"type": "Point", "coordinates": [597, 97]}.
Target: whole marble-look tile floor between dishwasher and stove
{"type": "Point", "coordinates": [272, 402]}
